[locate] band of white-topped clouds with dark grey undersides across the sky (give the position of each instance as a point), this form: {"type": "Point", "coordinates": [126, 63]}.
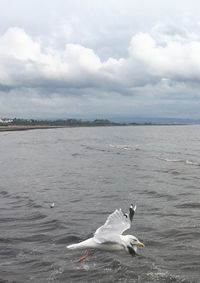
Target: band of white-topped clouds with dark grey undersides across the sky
{"type": "Point", "coordinates": [78, 66]}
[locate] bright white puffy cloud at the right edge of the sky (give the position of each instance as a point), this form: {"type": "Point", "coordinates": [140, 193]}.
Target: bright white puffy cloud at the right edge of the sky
{"type": "Point", "coordinates": [175, 59]}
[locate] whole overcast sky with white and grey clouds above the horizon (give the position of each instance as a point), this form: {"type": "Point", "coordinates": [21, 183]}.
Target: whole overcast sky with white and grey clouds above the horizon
{"type": "Point", "coordinates": [99, 58]}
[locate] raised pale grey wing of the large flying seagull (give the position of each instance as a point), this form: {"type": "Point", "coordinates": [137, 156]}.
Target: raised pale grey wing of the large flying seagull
{"type": "Point", "coordinates": [115, 225]}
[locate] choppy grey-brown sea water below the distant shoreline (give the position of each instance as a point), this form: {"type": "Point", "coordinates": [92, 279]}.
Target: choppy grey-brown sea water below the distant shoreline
{"type": "Point", "coordinates": [87, 173]}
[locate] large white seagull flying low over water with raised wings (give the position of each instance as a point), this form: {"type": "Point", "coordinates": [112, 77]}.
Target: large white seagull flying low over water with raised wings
{"type": "Point", "coordinates": [109, 236]}
